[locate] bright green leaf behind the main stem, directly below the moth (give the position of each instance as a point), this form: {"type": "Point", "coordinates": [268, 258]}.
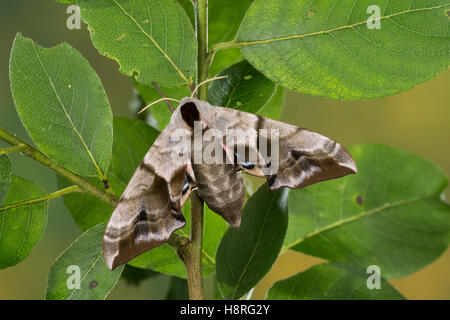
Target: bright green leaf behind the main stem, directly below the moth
{"type": "Point", "coordinates": [165, 259]}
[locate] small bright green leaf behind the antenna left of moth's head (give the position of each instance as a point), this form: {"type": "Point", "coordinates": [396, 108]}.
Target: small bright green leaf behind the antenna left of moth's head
{"type": "Point", "coordinates": [160, 110]}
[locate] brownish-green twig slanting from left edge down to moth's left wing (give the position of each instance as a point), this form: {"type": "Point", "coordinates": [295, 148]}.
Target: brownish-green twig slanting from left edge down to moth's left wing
{"type": "Point", "coordinates": [31, 152]}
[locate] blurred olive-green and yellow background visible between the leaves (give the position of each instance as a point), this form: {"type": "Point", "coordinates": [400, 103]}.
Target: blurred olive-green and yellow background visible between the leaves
{"type": "Point", "coordinates": [417, 121]}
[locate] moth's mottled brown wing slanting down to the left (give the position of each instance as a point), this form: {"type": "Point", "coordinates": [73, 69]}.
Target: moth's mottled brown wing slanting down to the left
{"type": "Point", "coordinates": [149, 210]}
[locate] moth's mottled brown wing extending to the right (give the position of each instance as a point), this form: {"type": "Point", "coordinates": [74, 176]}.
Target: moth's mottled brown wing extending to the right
{"type": "Point", "coordinates": [305, 157]}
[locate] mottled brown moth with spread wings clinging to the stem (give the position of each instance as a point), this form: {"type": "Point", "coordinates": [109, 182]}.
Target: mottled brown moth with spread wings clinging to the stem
{"type": "Point", "coordinates": [149, 210]}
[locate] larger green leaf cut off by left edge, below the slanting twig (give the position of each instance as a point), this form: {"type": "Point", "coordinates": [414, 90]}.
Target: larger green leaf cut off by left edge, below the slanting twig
{"type": "Point", "coordinates": [23, 218]}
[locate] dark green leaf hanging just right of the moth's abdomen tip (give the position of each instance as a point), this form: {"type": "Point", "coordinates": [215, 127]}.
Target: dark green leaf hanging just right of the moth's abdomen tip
{"type": "Point", "coordinates": [247, 254]}
